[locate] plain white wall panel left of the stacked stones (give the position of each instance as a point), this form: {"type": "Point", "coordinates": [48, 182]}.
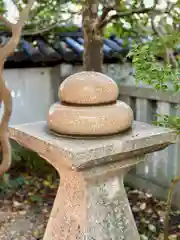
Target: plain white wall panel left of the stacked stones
{"type": "Point", "coordinates": [32, 93]}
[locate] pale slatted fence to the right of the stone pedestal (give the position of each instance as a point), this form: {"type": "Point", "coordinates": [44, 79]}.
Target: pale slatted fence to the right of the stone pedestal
{"type": "Point", "coordinates": [162, 166]}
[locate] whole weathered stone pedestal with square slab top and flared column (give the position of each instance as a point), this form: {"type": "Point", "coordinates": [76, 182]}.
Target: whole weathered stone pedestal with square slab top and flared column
{"type": "Point", "coordinates": [91, 202]}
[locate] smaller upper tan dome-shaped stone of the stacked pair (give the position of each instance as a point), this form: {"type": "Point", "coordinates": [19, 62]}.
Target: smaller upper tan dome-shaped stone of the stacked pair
{"type": "Point", "coordinates": [88, 88]}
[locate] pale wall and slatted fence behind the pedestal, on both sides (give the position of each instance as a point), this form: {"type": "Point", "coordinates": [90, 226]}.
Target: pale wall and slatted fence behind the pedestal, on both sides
{"type": "Point", "coordinates": [34, 90]}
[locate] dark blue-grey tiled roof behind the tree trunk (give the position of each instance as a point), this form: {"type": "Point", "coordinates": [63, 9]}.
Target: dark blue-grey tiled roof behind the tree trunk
{"type": "Point", "coordinates": [67, 47]}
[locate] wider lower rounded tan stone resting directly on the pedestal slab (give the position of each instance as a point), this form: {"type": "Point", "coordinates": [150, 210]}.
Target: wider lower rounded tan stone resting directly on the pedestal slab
{"type": "Point", "coordinates": [90, 121]}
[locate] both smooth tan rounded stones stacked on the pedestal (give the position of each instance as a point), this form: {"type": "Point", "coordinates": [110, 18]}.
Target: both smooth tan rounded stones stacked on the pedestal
{"type": "Point", "coordinates": [89, 107]}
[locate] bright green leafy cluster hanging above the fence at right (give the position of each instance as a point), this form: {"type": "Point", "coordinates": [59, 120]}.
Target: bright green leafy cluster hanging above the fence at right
{"type": "Point", "coordinates": [148, 69]}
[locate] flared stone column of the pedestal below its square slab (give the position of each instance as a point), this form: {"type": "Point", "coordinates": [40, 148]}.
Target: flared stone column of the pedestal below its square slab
{"type": "Point", "coordinates": [92, 205]}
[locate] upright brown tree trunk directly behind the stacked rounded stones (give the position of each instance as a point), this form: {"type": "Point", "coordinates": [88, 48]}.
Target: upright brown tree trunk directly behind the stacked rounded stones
{"type": "Point", "coordinates": [93, 38]}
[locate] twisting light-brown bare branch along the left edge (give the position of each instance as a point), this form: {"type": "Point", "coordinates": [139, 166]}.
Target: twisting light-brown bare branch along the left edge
{"type": "Point", "coordinates": [5, 93]}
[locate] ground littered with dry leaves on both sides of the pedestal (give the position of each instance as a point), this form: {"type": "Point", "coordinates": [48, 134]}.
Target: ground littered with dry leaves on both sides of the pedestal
{"type": "Point", "coordinates": [24, 212]}
